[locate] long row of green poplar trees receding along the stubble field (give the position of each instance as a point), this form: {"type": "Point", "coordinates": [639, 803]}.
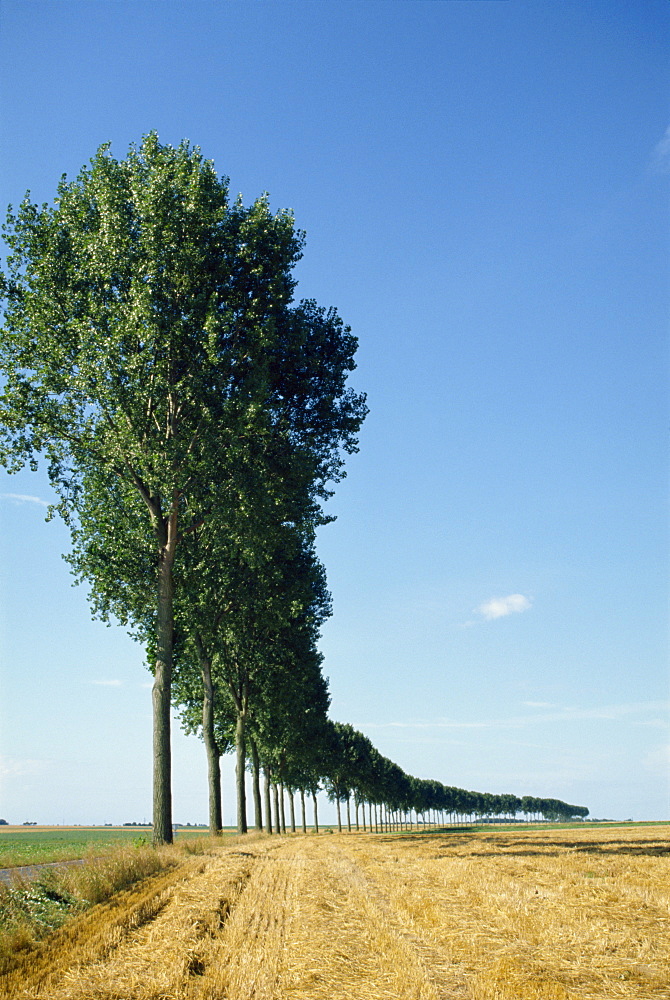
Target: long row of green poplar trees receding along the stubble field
{"type": "Point", "coordinates": [193, 419]}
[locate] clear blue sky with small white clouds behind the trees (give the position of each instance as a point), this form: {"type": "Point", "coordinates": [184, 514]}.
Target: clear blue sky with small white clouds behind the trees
{"type": "Point", "coordinates": [484, 190]}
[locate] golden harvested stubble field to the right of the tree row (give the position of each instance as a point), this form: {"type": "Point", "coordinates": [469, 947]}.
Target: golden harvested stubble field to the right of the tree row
{"type": "Point", "coordinates": [497, 915]}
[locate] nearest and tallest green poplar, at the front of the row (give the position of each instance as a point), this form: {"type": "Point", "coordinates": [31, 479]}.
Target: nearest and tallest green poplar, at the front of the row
{"type": "Point", "coordinates": [149, 342]}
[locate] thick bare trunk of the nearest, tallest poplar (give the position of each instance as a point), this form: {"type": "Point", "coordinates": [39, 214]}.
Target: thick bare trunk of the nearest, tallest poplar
{"type": "Point", "coordinates": [161, 692]}
